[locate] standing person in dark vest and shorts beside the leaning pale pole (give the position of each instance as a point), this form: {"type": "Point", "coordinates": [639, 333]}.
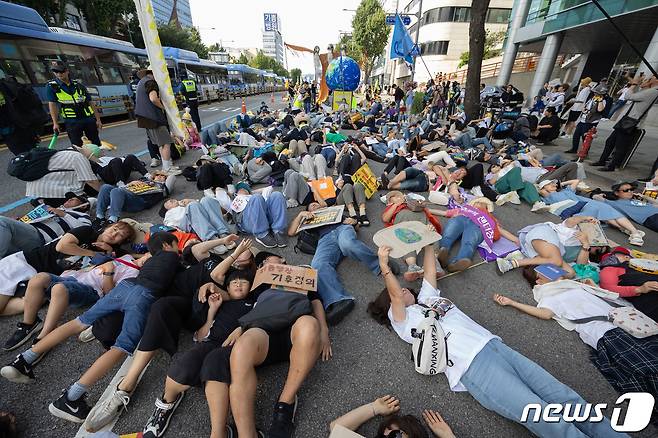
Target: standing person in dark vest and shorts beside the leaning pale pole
{"type": "Point", "coordinates": [151, 116]}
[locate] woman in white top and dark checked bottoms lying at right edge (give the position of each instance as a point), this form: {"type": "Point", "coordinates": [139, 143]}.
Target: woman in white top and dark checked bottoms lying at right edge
{"type": "Point", "coordinates": [628, 363]}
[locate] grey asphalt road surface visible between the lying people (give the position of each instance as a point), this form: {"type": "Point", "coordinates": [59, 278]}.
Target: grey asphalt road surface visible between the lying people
{"type": "Point", "coordinates": [369, 360]}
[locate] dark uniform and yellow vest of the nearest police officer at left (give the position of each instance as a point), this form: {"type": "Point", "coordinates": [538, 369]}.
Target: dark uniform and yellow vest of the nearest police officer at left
{"type": "Point", "coordinates": [75, 110]}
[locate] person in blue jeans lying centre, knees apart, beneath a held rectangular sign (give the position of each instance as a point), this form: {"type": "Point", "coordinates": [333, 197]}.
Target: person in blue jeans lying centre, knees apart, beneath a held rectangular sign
{"type": "Point", "coordinates": [336, 241]}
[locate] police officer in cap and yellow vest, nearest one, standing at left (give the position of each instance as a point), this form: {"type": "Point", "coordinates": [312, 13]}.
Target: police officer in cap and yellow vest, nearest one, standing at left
{"type": "Point", "coordinates": [70, 101]}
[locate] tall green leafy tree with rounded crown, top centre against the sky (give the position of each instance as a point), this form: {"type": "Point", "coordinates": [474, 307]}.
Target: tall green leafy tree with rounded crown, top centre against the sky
{"type": "Point", "coordinates": [370, 33]}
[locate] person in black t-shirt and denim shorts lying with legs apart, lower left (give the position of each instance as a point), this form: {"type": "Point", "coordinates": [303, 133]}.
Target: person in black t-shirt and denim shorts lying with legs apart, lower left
{"type": "Point", "coordinates": [133, 297]}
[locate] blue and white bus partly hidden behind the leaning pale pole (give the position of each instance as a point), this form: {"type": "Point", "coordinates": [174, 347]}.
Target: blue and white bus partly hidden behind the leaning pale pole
{"type": "Point", "coordinates": [212, 79]}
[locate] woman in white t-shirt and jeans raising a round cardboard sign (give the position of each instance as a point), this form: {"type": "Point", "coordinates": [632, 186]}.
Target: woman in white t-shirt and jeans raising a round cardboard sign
{"type": "Point", "coordinates": [498, 377]}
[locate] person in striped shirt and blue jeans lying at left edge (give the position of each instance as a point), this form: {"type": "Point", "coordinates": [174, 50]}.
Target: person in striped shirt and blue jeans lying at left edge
{"type": "Point", "coordinates": [16, 235]}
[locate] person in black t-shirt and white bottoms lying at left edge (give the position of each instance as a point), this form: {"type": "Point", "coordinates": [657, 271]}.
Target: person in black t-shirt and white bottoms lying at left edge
{"type": "Point", "coordinates": [81, 241]}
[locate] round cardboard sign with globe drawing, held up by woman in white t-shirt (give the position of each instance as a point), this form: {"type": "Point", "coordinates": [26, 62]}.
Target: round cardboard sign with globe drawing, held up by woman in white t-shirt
{"type": "Point", "coordinates": [405, 237]}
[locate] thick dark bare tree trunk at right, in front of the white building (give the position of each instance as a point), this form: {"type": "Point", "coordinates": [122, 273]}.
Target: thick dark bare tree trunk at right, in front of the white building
{"type": "Point", "coordinates": [476, 35]}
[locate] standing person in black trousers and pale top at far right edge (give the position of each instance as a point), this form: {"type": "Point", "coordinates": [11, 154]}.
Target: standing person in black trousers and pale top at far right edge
{"type": "Point", "coordinates": [642, 95]}
